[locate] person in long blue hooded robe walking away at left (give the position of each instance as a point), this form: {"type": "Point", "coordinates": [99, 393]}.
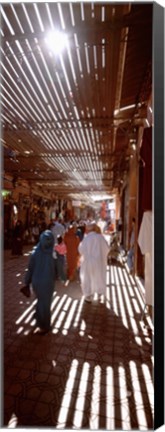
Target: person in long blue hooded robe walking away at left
{"type": "Point", "coordinates": [41, 274]}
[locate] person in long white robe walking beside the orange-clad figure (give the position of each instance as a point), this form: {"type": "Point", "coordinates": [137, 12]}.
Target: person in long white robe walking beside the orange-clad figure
{"type": "Point", "coordinates": [93, 263]}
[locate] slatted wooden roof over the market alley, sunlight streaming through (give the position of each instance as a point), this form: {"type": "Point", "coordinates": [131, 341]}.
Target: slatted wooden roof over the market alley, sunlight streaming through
{"type": "Point", "coordinates": [67, 119]}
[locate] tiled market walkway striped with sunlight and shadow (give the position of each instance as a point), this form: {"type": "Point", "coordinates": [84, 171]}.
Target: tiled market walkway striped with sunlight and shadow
{"type": "Point", "coordinates": [94, 371]}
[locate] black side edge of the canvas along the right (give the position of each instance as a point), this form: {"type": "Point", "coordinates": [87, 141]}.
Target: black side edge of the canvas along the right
{"type": "Point", "coordinates": [158, 186]}
